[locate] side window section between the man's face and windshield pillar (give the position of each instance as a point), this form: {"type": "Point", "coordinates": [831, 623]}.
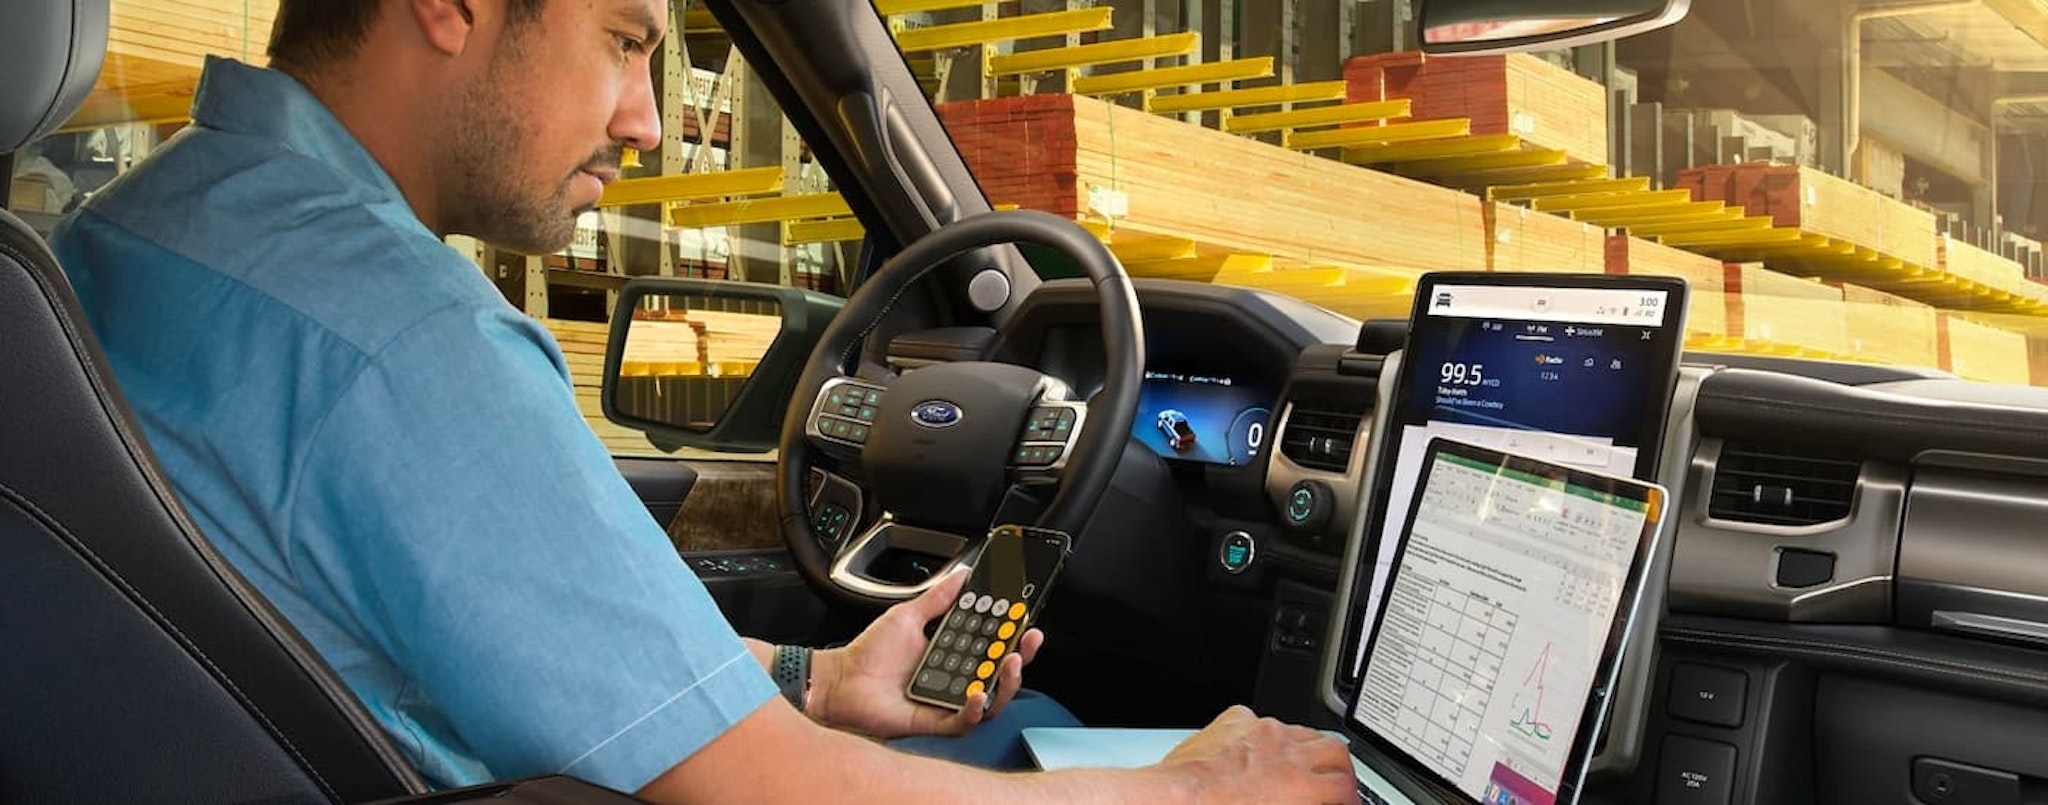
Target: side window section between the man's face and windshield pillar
{"type": "Point", "coordinates": [732, 194]}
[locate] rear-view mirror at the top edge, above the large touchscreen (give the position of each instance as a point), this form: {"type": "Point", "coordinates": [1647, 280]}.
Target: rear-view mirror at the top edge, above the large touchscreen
{"type": "Point", "coordinates": [1527, 26]}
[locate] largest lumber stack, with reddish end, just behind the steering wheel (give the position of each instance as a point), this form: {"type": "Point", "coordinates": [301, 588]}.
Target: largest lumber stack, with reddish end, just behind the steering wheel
{"type": "Point", "coordinates": [1209, 187]}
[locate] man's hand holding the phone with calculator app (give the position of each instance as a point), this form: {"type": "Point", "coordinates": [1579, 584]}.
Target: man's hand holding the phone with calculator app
{"type": "Point", "coordinates": [861, 687]}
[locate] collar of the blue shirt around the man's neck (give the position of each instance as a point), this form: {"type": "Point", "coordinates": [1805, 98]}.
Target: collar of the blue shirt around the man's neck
{"type": "Point", "coordinates": [271, 105]}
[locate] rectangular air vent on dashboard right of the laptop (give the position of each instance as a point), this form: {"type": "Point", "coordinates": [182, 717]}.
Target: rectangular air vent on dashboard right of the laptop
{"type": "Point", "coordinates": [1783, 489]}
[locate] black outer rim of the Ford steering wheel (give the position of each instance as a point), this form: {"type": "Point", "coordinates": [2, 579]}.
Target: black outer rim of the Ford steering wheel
{"type": "Point", "coordinates": [1097, 448]}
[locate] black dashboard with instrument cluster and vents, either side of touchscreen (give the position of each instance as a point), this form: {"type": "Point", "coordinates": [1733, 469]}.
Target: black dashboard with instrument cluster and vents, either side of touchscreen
{"type": "Point", "coordinates": [1852, 581]}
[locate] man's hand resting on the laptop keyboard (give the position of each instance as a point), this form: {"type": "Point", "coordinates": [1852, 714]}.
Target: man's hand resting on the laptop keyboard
{"type": "Point", "coordinates": [1244, 759]}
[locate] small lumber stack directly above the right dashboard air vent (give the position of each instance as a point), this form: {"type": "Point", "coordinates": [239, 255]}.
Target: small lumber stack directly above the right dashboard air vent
{"type": "Point", "coordinates": [1766, 306]}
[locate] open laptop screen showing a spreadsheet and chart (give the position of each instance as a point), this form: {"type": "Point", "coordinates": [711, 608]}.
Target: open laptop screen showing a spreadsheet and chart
{"type": "Point", "coordinates": [1508, 603]}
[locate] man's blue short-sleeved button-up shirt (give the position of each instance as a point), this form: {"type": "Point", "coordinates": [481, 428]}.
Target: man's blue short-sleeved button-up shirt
{"type": "Point", "coordinates": [394, 456]}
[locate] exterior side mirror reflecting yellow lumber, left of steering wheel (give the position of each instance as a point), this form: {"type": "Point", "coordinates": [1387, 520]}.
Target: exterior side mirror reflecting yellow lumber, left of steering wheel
{"type": "Point", "coordinates": [710, 364]}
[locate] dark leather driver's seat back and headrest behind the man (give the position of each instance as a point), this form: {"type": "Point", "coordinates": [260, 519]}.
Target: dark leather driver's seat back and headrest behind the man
{"type": "Point", "coordinates": [134, 663]}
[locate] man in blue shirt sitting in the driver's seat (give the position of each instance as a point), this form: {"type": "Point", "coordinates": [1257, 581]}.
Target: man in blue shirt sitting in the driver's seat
{"type": "Point", "coordinates": [396, 460]}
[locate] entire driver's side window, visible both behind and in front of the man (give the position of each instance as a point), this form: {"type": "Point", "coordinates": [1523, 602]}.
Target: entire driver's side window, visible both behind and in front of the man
{"type": "Point", "coordinates": [732, 194]}
